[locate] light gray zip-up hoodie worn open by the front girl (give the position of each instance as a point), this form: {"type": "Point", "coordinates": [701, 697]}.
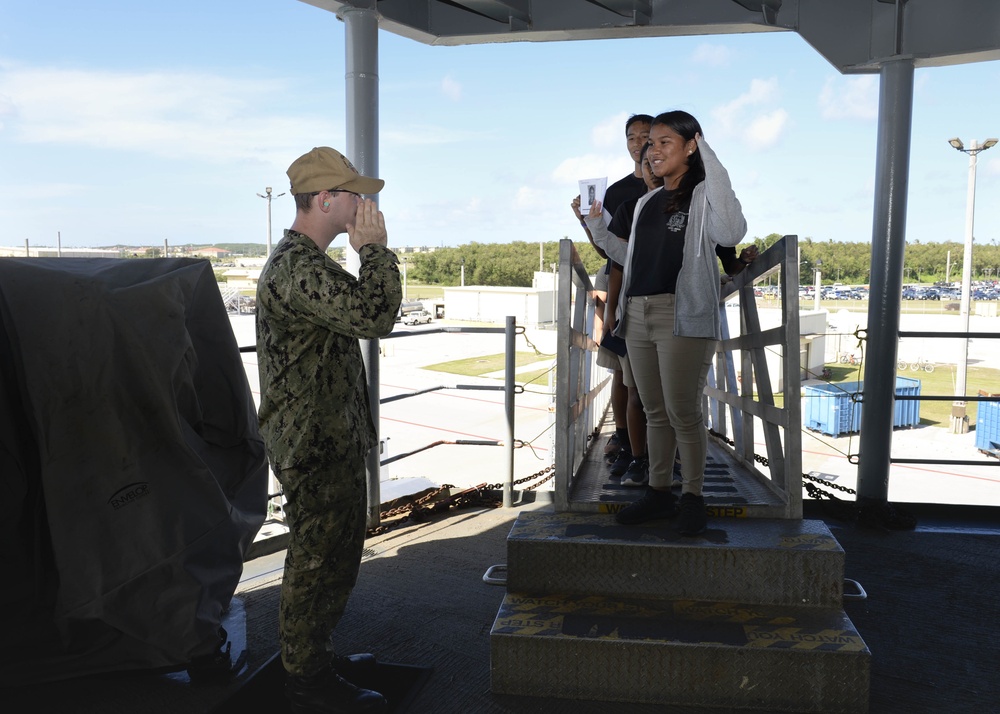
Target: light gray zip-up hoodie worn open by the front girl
{"type": "Point", "coordinates": [715, 218]}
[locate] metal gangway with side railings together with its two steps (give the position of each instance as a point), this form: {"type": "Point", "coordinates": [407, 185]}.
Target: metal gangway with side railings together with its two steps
{"type": "Point", "coordinates": [747, 615]}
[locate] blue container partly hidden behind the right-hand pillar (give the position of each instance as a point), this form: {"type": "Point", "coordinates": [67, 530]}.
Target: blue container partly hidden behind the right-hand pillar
{"type": "Point", "coordinates": [834, 409]}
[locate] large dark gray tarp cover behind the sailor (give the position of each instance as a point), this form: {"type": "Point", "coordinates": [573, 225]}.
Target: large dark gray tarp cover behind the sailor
{"type": "Point", "coordinates": [134, 477]}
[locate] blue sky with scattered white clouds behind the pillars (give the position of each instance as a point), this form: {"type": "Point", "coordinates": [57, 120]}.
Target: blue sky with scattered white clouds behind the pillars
{"type": "Point", "coordinates": [135, 123]}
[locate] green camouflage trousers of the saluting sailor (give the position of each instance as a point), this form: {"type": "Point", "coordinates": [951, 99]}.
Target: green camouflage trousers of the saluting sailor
{"type": "Point", "coordinates": [325, 515]}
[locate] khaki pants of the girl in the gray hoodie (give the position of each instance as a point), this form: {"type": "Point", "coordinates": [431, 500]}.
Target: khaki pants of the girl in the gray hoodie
{"type": "Point", "coordinates": [670, 374]}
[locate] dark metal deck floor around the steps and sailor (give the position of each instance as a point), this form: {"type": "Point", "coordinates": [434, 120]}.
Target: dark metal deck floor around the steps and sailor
{"type": "Point", "coordinates": [930, 620]}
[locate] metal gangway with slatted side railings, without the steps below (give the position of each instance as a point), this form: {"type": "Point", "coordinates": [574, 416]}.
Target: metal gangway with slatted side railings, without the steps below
{"type": "Point", "coordinates": [739, 481]}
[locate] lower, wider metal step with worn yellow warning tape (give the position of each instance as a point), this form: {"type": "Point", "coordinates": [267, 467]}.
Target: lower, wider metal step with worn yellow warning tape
{"type": "Point", "coordinates": [682, 652]}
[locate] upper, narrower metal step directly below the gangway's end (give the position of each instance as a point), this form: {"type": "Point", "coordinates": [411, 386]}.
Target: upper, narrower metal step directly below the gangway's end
{"type": "Point", "coordinates": [766, 561]}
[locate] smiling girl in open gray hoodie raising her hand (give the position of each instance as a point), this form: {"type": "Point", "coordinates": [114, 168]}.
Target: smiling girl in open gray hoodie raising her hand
{"type": "Point", "coordinates": [669, 311]}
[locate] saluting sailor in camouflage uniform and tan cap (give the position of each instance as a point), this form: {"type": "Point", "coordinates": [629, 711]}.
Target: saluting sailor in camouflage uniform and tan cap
{"type": "Point", "coordinates": [315, 414]}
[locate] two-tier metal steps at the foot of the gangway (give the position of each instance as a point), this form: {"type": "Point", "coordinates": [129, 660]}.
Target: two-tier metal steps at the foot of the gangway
{"type": "Point", "coordinates": [747, 616]}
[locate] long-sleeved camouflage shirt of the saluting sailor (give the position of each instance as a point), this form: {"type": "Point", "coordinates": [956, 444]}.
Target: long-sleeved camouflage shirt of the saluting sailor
{"type": "Point", "coordinates": [311, 312]}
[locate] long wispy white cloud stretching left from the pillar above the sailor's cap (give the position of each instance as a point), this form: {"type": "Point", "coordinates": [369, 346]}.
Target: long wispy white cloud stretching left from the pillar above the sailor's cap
{"type": "Point", "coordinates": [173, 115]}
